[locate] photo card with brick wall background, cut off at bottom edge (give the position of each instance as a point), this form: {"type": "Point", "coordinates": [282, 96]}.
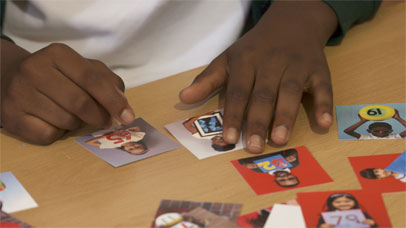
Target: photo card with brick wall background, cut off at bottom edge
{"type": "Point", "coordinates": [188, 214]}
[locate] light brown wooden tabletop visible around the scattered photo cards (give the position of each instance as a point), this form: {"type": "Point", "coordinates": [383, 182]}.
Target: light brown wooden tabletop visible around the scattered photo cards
{"type": "Point", "coordinates": [74, 188]}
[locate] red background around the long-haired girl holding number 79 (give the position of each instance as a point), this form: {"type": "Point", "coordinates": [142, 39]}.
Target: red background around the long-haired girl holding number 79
{"type": "Point", "coordinates": [371, 204]}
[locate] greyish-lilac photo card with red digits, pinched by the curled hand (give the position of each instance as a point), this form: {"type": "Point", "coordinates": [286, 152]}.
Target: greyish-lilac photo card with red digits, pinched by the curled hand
{"type": "Point", "coordinates": [127, 144]}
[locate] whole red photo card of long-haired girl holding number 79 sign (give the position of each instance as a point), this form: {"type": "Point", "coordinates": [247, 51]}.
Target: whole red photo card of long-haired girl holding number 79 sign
{"type": "Point", "coordinates": [352, 208]}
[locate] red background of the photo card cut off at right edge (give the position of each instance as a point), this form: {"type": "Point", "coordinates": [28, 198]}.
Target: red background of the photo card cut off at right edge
{"type": "Point", "coordinates": [389, 184]}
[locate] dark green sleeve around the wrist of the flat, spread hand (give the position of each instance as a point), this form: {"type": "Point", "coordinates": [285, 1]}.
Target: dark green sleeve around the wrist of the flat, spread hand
{"type": "Point", "coordinates": [348, 14]}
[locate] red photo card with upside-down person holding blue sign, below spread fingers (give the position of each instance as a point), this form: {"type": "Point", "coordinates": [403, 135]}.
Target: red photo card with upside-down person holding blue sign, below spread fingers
{"type": "Point", "coordinates": [280, 171]}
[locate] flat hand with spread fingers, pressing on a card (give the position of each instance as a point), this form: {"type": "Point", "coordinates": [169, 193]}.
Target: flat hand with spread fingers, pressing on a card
{"type": "Point", "coordinates": [267, 71]}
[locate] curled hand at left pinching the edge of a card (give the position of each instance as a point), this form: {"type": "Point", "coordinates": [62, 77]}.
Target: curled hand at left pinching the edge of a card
{"type": "Point", "coordinates": [46, 93]}
